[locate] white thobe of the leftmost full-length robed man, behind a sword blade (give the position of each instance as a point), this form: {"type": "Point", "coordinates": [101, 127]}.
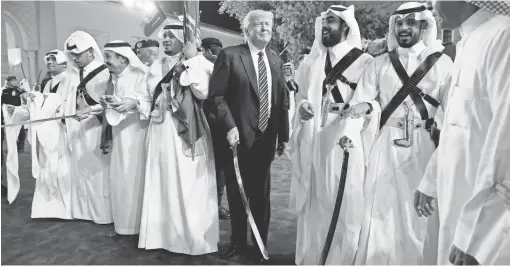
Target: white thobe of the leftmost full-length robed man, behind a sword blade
{"type": "Point", "coordinates": [50, 154]}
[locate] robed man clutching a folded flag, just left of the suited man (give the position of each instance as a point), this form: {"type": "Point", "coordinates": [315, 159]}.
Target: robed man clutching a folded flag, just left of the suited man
{"type": "Point", "coordinates": [180, 205]}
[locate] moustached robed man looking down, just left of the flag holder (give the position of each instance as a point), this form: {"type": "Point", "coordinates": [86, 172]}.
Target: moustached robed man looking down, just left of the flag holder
{"type": "Point", "coordinates": [124, 134]}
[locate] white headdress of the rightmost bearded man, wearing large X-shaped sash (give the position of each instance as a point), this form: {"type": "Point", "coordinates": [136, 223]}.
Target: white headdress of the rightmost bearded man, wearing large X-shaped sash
{"type": "Point", "coordinates": [421, 13]}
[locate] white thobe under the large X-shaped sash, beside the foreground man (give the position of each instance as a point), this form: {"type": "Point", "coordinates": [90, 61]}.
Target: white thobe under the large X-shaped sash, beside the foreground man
{"type": "Point", "coordinates": [392, 232]}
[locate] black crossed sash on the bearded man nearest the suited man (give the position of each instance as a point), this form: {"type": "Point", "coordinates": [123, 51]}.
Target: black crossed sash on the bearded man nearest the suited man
{"type": "Point", "coordinates": [336, 73]}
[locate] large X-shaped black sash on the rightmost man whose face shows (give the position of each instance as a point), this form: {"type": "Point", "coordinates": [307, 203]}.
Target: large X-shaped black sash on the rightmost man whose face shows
{"type": "Point", "coordinates": [409, 87]}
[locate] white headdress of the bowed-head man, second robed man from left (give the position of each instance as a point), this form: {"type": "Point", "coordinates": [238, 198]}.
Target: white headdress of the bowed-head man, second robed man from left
{"type": "Point", "coordinates": [78, 42]}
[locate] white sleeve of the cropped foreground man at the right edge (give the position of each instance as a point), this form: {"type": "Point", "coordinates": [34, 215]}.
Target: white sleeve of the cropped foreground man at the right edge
{"type": "Point", "coordinates": [484, 223]}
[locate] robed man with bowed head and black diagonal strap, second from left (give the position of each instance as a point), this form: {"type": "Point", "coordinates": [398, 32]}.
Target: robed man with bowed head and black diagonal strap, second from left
{"type": "Point", "coordinates": [90, 184]}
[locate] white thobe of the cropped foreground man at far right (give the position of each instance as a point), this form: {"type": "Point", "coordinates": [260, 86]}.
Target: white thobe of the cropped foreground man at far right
{"type": "Point", "coordinates": [473, 153]}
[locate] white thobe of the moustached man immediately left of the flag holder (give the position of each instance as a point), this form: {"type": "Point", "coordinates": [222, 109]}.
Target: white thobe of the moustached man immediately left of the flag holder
{"type": "Point", "coordinates": [127, 163]}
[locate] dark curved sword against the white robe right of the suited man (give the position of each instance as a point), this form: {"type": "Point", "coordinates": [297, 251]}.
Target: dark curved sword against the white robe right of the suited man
{"type": "Point", "coordinates": [336, 210]}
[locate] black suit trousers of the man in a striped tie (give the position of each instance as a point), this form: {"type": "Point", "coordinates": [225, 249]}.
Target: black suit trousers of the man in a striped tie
{"type": "Point", "coordinates": [254, 165]}
